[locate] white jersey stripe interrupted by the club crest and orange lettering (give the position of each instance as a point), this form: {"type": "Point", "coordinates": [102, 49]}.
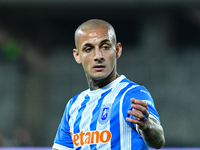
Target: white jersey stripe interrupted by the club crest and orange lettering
{"type": "Point", "coordinates": [109, 99]}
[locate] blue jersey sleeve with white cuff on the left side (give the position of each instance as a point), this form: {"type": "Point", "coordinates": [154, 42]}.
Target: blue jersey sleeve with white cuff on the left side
{"type": "Point", "coordinates": [63, 140]}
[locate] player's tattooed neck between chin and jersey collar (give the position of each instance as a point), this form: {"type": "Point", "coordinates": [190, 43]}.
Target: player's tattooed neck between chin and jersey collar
{"type": "Point", "coordinates": [96, 84]}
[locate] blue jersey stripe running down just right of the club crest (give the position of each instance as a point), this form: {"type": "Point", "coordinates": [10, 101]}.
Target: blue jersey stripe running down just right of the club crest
{"type": "Point", "coordinates": [115, 118]}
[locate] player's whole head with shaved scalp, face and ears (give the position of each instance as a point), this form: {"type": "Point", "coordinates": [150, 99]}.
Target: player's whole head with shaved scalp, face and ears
{"type": "Point", "coordinates": [96, 49]}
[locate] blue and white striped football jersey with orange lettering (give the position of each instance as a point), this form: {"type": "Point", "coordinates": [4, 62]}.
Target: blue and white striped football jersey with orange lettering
{"type": "Point", "coordinates": [97, 119]}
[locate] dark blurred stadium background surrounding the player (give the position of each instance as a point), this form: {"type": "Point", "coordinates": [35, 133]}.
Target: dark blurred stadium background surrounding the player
{"type": "Point", "coordinates": [38, 74]}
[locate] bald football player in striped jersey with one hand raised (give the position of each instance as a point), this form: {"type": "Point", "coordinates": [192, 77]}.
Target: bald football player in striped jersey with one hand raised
{"type": "Point", "coordinates": [114, 113]}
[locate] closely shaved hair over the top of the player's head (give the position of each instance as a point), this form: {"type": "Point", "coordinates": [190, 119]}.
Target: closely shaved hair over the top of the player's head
{"type": "Point", "coordinates": [94, 24]}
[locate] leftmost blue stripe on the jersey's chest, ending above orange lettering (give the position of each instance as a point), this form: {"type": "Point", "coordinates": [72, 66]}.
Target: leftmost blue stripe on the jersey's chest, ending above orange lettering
{"type": "Point", "coordinates": [79, 116]}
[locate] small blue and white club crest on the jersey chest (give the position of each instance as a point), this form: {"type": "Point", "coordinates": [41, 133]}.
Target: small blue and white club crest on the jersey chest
{"type": "Point", "coordinates": [104, 114]}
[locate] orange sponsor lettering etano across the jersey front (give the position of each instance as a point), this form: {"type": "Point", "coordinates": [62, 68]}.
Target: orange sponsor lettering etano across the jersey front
{"type": "Point", "coordinates": [91, 137]}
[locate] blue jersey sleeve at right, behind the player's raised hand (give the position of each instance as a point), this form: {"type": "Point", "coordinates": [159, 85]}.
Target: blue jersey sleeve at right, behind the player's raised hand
{"type": "Point", "coordinates": [139, 93]}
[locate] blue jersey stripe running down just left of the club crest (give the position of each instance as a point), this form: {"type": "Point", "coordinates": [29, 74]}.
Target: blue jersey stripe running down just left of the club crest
{"type": "Point", "coordinates": [95, 114]}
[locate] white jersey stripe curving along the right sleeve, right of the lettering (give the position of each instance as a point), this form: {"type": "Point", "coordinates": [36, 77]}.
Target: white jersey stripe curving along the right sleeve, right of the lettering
{"type": "Point", "coordinates": [125, 130]}
